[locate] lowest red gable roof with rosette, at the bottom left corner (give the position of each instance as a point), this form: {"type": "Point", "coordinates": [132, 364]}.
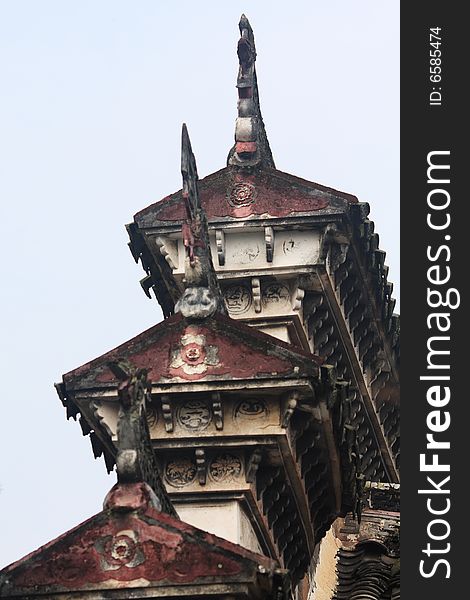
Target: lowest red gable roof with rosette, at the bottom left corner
{"type": "Point", "coordinates": [130, 545]}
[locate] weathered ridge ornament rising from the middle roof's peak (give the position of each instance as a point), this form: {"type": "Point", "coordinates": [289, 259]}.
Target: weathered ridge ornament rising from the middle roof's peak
{"type": "Point", "coordinates": [202, 296]}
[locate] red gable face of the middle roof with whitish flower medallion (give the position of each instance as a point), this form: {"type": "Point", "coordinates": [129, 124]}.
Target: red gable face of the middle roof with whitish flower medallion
{"type": "Point", "coordinates": [176, 350]}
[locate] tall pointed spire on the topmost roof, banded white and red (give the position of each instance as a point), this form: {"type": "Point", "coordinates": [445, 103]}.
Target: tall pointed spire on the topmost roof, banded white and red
{"type": "Point", "coordinates": [251, 142]}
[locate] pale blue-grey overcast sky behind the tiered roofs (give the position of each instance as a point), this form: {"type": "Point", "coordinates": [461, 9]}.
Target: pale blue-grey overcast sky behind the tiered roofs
{"type": "Point", "coordinates": [92, 101]}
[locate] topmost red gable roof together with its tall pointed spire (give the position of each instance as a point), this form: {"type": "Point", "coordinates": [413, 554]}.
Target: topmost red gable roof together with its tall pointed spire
{"type": "Point", "coordinates": [250, 185]}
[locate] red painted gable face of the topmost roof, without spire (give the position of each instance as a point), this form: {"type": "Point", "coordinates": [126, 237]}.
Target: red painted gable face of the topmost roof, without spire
{"type": "Point", "coordinates": [230, 193]}
